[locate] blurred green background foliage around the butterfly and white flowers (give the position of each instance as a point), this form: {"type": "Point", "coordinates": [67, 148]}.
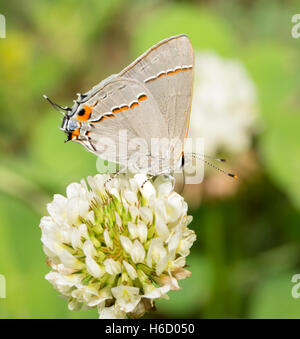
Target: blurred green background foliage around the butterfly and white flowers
{"type": "Point", "coordinates": [248, 245]}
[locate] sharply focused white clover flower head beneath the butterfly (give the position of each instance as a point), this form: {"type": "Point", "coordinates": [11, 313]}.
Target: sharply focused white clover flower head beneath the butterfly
{"type": "Point", "coordinates": [118, 246]}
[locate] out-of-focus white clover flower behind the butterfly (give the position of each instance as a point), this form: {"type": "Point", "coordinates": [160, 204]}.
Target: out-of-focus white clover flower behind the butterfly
{"type": "Point", "coordinates": [224, 108]}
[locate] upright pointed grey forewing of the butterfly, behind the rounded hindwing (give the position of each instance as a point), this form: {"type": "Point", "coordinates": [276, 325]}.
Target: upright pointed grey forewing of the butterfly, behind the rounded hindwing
{"type": "Point", "coordinates": [167, 71]}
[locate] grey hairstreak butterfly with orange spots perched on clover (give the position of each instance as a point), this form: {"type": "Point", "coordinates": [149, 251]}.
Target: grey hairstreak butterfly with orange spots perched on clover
{"type": "Point", "coordinates": [150, 100]}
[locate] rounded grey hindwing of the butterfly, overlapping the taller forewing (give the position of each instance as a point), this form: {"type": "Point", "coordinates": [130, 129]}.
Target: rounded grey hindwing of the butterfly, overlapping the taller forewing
{"type": "Point", "coordinates": [124, 118]}
